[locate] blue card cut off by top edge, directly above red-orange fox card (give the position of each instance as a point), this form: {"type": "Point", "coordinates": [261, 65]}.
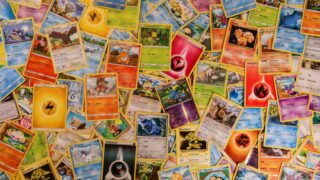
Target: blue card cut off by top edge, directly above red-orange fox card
{"type": "Point", "coordinates": [232, 7]}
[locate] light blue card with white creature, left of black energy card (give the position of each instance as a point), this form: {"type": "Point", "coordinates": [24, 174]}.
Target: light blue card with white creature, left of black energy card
{"type": "Point", "coordinates": [87, 157]}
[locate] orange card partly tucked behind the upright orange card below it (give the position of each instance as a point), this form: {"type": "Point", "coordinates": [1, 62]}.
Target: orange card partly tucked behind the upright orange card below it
{"type": "Point", "coordinates": [124, 58]}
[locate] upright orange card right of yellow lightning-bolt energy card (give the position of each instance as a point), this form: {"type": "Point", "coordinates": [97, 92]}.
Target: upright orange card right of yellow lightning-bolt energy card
{"type": "Point", "coordinates": [101, 96]}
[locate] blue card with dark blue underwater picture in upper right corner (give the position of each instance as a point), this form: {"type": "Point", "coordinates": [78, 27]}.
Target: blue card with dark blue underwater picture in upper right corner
{"type": "Point", "coordinates": [288, 37]}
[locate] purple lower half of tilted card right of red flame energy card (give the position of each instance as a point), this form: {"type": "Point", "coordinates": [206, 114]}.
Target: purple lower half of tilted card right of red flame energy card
{"type": "Point", "coordinates": [294, 108]}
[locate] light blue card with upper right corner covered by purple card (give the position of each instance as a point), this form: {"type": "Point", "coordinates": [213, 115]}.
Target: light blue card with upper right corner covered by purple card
{"type": "Point", "coordinates": [277, 134]}
